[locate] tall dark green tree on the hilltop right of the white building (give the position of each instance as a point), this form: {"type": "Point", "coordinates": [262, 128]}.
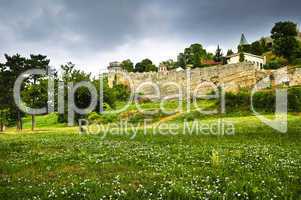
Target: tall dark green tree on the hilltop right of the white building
{"type": "Point", "coordinates": [285, 42]}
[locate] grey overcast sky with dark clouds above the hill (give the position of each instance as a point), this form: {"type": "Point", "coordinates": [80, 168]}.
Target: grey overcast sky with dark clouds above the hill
{"type": "Point", "coordinates": [92, 33]}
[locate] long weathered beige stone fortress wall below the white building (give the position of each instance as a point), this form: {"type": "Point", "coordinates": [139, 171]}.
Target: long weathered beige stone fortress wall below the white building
{"type": "Point", "coordinates": [233, 77]}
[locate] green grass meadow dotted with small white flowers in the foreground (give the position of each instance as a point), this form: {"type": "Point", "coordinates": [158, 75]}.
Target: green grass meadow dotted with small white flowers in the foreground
{"type": "Point", "coordinates": [58, 163]}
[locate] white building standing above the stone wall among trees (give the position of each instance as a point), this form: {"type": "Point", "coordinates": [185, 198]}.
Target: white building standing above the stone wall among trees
{"type": "Point", "coordinates": [258, 61]}
